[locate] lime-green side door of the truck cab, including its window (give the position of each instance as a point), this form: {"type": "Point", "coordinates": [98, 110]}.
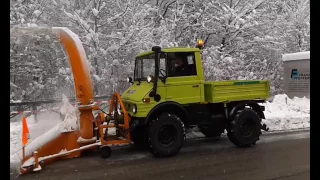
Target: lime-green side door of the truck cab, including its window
{"type": "Point", "coordinates": [182, 83]}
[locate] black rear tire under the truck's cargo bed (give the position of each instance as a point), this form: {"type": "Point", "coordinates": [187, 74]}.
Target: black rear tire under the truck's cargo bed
{"type": "Point", "coordinates": [245, 128]}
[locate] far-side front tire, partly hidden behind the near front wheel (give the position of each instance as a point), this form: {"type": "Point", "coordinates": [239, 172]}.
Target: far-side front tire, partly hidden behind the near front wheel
{"type": "Point", "coordinates": [139, 137]}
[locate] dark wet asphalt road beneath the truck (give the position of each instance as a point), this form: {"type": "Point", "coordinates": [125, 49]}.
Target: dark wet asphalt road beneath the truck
{"type": "Point", "coordinates": [277, 156]}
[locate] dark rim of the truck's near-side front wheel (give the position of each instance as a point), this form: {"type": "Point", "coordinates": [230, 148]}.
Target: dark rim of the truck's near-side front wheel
{"type": "Point", "coordinates": [167, 135]}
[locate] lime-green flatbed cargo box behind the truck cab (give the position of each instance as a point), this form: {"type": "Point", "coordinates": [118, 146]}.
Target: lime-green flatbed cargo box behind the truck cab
{"type": "Point", "coordinates": [227, 91]}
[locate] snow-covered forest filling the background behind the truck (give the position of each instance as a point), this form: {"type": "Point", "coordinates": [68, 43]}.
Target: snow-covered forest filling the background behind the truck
{"type": "Point", "coordinates": [243, 39]}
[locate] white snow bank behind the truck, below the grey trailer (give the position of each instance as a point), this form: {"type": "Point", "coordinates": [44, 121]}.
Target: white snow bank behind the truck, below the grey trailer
{"type": "Point", "coordinates": [284, 113]}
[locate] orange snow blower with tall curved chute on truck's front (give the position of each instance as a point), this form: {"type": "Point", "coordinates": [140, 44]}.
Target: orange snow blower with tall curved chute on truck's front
{"type": "Point", "coordinates": [60, 143]}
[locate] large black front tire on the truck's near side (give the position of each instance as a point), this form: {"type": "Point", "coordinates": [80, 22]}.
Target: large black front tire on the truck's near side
{"type": "Point", "coordinates": [166, 135]}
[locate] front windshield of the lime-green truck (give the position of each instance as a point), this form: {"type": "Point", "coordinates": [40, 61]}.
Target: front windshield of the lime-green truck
{"type": "Point", "coordinates": [145, 66]}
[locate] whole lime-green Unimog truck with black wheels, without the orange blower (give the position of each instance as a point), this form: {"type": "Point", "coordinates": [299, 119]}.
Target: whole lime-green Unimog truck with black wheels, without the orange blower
{"type": "Point", "coordinates": [169, 94]}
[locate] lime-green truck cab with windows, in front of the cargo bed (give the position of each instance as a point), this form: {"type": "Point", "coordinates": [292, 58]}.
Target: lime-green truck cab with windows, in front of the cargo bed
{"type": "Point", "coordinates": [180, 77]}
